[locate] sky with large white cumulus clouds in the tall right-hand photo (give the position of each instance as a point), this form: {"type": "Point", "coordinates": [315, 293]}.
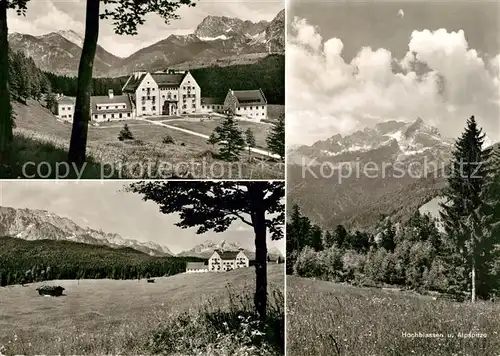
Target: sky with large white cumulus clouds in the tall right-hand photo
{"type": "Point", "coordinates": [353, 64]}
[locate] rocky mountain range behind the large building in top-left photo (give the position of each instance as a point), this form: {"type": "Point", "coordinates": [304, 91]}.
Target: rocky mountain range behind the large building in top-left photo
{"type": "Point", "coordinates": [215, 39]}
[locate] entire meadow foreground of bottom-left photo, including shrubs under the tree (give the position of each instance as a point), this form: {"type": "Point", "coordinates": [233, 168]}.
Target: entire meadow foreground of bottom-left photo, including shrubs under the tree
{"type": "Point", "coordinates": [186, 314]}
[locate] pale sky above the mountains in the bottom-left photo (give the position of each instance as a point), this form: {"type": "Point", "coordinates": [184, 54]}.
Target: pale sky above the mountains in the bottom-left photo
{"type": "Point", "coordinates": [105, 205]}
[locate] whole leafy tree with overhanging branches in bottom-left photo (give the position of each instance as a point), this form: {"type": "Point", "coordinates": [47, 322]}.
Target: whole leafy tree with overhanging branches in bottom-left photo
{"type": "Point", "coordinates": [216, 205]}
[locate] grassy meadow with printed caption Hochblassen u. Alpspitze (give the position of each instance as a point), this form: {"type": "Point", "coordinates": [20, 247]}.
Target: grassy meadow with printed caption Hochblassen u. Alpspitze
{"type": "Point", "coordinates": [325, 318]}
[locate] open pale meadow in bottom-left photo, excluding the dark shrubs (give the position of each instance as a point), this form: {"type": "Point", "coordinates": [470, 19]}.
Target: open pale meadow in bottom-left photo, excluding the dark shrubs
{"type": "Point", "coordinates": [112, 316]}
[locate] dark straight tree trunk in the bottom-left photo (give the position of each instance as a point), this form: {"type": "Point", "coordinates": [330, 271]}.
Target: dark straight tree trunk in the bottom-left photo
{"type": "Point", "coordinates": [256, 195]}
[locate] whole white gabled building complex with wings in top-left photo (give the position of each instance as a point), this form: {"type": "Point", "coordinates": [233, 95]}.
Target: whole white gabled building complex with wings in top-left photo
{"type": "Point", "coordinates": [171, 93]}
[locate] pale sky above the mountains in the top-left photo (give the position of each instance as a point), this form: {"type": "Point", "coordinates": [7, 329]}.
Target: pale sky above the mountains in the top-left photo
{"type": "Point", "coordinates": [44, 16]}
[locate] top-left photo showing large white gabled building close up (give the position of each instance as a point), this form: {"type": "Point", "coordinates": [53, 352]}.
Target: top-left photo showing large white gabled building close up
{"type": "Point", "coordinates": [142, 89]}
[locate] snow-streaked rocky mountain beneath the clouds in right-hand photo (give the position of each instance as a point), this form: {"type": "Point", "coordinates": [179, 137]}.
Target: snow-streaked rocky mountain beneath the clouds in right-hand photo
{"type": "Point", "coordinates": [390, 169]}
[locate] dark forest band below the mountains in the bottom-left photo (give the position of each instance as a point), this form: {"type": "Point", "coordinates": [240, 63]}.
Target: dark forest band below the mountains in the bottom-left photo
{"type": "Point", "coordinates": [34, 261]}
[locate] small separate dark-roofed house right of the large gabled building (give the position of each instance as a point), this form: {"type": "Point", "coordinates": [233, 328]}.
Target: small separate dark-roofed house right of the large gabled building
{"type": "Point", "coordinates": [251, 104]}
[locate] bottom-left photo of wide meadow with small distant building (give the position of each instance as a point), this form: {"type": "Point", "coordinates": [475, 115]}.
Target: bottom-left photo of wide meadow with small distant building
{"type": "Point", "coordinates": [142, 268]}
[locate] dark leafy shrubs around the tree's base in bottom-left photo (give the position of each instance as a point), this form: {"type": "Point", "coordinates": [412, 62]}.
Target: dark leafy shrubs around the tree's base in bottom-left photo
{"type": "Point", "coordinates": [234, 330]}
